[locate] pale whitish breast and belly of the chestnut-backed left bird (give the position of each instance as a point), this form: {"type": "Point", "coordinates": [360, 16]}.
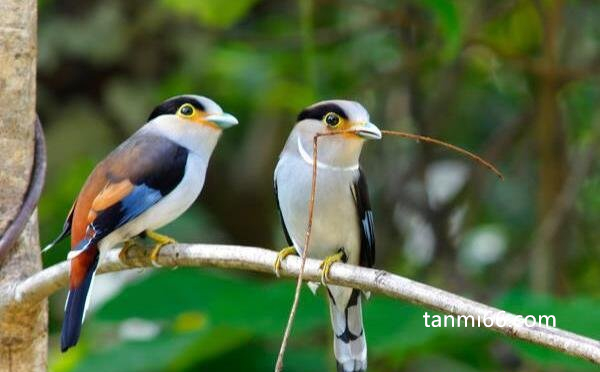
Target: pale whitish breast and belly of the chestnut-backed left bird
{"type": "Point", "coordinates": [168, 208]}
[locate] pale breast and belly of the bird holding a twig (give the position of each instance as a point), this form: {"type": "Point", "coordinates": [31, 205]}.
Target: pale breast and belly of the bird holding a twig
{"type": "Point", "coordinates": [335, 220]}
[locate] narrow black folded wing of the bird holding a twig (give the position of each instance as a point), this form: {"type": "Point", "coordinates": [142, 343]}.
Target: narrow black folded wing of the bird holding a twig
{"type": "Point", "coordinates": [365, 217]}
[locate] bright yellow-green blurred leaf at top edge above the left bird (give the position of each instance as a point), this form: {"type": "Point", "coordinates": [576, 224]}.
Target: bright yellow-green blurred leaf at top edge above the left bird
{"type": "Point", "coordinates": [214, 13]}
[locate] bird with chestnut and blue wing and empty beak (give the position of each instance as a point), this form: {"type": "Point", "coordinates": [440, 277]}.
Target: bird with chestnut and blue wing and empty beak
{"type": "Point", "coordinates": [145, 183]}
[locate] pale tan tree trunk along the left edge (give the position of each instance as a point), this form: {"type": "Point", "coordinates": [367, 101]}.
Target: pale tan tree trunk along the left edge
{"type": "Point", "coordinates": [23, 330]}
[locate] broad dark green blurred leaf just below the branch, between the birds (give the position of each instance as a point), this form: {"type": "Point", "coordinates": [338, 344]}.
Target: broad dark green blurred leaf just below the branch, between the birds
{"type": "Point", "coordinates": [239, 302]}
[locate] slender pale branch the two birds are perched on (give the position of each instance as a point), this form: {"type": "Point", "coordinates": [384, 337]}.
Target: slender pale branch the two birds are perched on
{"type": "Point", "coordinates": [46, 282]}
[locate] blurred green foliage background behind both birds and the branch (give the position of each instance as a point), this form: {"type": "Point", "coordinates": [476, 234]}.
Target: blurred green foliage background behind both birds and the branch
{"type": "Point", "coordinates": [487, 75]}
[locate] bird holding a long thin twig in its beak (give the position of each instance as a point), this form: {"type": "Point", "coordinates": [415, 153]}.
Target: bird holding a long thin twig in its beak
{"type": "Point", "coordinates": [342, 228]}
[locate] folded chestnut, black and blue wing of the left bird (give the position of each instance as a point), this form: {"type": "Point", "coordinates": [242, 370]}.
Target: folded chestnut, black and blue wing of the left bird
{"type": "Point", "coordinates": [128, 182]}
